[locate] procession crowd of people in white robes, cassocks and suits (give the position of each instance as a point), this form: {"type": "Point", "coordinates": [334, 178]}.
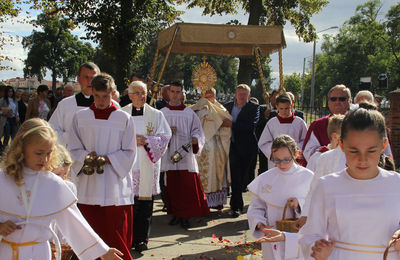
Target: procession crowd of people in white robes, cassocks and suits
{"type": "Point", "coordinates": [116, 153]}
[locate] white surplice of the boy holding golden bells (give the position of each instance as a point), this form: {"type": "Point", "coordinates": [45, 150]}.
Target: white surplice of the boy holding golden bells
{"type": "Point", "coordinates": [114, 138]}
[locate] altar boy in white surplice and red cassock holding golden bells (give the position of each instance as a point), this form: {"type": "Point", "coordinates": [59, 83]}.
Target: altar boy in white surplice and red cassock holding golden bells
{"type": "Point", "coordinates": [105, 199]}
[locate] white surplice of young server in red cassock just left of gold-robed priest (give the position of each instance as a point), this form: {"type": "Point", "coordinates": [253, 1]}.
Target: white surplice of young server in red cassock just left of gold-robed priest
{"type": "Point", "coordinates": [188, 125]}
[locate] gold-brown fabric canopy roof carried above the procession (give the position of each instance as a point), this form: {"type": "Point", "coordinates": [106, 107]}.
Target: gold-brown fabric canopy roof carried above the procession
{"type": "Point", "coordinates": [221, 39]}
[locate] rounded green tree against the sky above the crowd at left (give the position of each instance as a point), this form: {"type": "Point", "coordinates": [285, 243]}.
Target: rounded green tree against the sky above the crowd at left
{"type": "Point", "coordinates": [54, 49]}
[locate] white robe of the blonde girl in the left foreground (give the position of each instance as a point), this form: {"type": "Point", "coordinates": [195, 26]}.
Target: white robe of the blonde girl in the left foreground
{"type": "Point", "coordinates": [52, 202]}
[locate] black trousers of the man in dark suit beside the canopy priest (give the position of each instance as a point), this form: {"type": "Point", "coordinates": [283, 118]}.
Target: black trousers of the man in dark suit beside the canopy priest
{"type": "Point", "coordinates": [240, 166]}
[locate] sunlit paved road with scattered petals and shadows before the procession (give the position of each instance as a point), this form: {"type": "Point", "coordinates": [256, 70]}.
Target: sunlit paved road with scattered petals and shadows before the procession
{"type": "Point", "coordinates": [216, 237]}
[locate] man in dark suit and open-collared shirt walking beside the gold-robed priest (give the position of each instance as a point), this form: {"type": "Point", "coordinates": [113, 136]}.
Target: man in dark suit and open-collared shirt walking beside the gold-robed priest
{"type": "Point", "coordinates": [243, 147]}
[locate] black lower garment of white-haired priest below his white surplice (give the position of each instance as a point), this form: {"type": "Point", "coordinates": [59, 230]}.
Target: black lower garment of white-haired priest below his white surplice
{"type": "Point", "coordinates": [142, 213]}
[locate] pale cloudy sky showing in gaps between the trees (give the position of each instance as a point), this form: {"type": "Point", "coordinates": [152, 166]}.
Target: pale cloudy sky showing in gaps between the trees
{"type": "Point", "coordinates": [334, 14]}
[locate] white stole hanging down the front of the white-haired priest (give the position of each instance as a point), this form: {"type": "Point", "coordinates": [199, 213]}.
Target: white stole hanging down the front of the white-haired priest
{"type": "Point", "coordinates": [150, 118]}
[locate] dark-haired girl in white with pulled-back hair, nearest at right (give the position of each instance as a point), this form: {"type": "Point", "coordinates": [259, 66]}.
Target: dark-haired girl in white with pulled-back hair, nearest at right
{"type": "Point", "coordinates": [354, 213]}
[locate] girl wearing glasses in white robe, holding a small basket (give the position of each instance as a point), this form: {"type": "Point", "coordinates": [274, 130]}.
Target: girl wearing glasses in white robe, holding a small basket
{"type": "Point", "coordinates": [286, 183]}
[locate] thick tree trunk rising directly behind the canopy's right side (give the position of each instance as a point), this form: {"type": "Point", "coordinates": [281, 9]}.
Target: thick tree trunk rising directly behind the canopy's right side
{"type": "Point", "coordinates": [245, 65]}
